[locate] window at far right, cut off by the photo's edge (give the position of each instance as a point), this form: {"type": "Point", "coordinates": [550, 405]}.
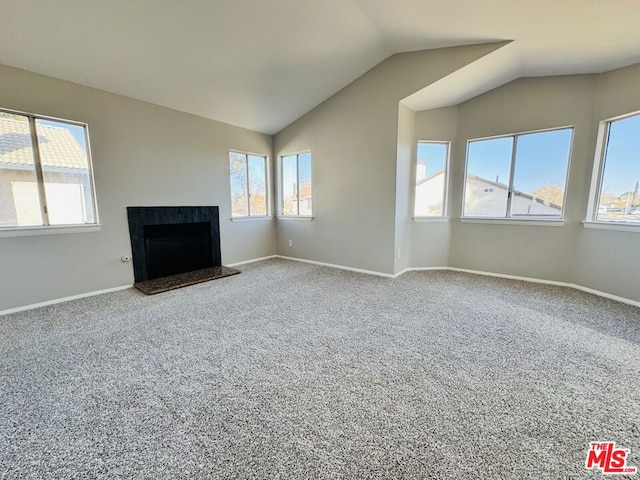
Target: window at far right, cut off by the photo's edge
{"type": "Point", "coordinates": [615, 197]}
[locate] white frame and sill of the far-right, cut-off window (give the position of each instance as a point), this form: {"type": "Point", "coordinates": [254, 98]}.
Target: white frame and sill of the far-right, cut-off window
{"type": "Point", "coordinates": [597, 179]}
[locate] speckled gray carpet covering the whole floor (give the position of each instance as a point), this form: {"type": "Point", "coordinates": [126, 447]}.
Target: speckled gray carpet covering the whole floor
{"type": "Point", "coordinates": [297, 371]}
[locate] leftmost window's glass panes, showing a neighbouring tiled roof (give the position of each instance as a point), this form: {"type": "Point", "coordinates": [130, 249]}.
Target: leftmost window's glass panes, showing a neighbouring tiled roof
{"type": "Point", "coordinates": [45, 172]}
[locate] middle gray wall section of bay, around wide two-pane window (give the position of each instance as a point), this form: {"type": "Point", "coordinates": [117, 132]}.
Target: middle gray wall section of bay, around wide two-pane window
{"type": "Point", "coordinates": [523, 105]}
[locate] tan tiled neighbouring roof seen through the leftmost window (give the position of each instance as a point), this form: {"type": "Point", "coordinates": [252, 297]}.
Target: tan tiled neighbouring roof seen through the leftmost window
{"type": "Point", "coordinates": [58, 147]}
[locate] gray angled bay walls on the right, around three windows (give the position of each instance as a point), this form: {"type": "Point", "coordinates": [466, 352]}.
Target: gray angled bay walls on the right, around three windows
{"type": "Point", "coordinates": [604, 260]}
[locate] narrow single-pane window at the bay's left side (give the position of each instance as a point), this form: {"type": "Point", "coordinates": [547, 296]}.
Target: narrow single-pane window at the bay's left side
{"type": "Point", "coordinates": [431, 179]}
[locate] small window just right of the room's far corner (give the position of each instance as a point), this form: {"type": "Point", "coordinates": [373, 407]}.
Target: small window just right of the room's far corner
{"type": "Point", "coordinates": [296, 184]}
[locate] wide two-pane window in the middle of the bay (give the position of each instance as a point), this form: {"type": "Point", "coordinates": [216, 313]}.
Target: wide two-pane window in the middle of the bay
{"type": "Point", "coordinates": [518, 176]}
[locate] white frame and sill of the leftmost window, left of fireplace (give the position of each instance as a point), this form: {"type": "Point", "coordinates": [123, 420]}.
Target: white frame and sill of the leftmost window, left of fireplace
{"type": "Point", "coordinates": [47, 227]}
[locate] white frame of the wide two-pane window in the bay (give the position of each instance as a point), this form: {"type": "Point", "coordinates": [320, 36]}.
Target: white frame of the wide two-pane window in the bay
{"type": "Point", "coordinates": [519, 220]}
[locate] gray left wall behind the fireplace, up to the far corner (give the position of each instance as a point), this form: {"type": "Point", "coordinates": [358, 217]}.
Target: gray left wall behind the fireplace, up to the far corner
{"type": "Point", "coordinates": [142, 155]}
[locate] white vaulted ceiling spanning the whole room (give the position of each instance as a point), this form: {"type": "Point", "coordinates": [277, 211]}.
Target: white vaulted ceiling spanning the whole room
{"type": "Point", "coordinates": [261, 64]}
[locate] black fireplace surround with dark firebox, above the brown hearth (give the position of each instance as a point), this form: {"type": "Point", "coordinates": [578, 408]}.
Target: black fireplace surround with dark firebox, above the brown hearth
{"type": "Point", "coordinates": [172, 240]}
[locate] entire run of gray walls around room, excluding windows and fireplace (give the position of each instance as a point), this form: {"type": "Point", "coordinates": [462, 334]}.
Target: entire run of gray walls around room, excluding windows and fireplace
{"type": "Point", "coordinates": [363, 145]}
